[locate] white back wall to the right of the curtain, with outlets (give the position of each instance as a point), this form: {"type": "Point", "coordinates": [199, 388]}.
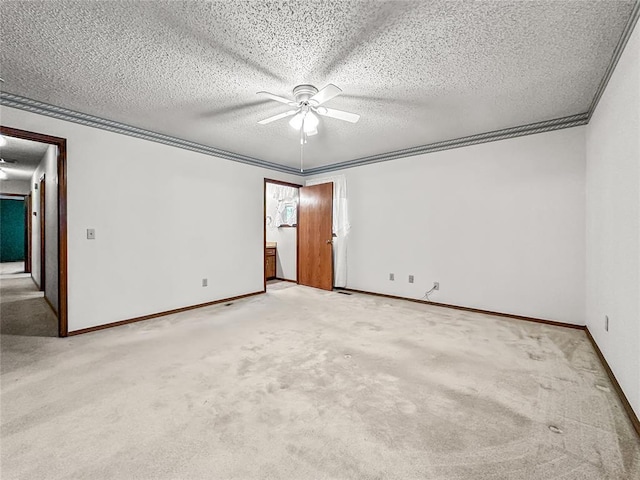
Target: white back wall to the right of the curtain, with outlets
{"type": "Point", "coordinates": [499, 225]}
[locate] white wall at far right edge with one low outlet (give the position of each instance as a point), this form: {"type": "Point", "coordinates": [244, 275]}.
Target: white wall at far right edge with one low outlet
{"type": "Point", "coordinates": [613, 222]}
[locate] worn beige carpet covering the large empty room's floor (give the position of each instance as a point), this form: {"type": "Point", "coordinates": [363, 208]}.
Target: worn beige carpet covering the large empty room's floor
{"type": "Point", "coordinates": [305, 384]}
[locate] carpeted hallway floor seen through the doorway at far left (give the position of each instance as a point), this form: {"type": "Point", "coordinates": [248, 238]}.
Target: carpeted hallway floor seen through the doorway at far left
{"type": "Point", "coordinates": [23, 309]}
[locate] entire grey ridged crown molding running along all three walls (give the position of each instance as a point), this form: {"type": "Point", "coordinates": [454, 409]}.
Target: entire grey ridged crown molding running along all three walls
{"type": "Point", "coordinates": [23, 103]}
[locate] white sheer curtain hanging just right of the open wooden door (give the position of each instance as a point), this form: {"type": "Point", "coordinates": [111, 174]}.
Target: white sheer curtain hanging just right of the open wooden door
{"type": "Point", "coordinates": [341, 226]}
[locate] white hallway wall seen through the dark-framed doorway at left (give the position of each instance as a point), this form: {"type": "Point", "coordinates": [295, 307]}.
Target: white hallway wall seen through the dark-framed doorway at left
{"type": "Point", "coordinates": [49, 168]}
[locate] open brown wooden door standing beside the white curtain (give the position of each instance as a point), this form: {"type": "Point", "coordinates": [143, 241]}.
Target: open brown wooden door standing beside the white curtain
{"type": "Point", "coordinates": [315, 248]}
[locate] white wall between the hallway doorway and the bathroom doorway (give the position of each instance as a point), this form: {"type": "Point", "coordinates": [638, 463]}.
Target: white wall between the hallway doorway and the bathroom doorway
{"type": "Point", "coordinates": [164, 217]}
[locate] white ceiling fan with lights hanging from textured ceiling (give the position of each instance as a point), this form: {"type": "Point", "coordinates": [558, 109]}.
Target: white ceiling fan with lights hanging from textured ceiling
{"type": "Point", "coordinates": [307, 103]}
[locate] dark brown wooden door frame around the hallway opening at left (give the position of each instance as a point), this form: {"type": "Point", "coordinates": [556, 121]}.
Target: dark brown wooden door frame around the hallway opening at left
{"type": "Point", "coordinates": [61, 143]}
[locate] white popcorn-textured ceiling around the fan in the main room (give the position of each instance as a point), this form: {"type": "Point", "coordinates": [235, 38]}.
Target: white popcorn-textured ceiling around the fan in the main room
{"type": "Point", "coordinates": [416, 72]}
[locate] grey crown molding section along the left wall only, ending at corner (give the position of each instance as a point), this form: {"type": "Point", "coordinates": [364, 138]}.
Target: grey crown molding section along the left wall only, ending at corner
{"type": "Point", "coordinates": [35, 106]}
